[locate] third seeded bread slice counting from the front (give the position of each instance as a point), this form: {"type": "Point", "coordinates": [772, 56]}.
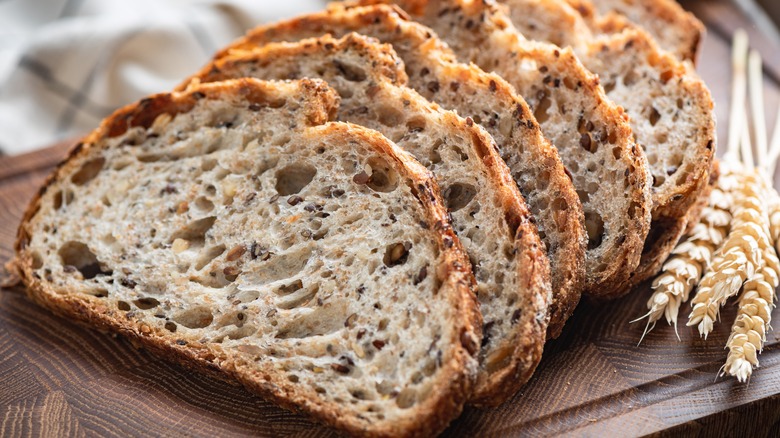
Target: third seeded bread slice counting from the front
{"type": "Point", "coordinates": [487, 98]}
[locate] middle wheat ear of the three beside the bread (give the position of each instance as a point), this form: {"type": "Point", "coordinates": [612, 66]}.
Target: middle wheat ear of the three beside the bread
{"type": "Point", "coordinates": [740, 256]}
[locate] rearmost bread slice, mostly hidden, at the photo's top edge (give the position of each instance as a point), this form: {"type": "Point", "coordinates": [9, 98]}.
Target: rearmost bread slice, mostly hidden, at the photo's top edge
{"type": "Point", "coordinates": [675, 29]}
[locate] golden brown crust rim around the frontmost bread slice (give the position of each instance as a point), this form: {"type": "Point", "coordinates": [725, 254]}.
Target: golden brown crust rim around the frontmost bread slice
{"type": "Point", "coordinates": [452, 390]}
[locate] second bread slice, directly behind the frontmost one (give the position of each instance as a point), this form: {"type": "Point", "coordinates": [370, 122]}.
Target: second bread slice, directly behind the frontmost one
{"type": "Point", "coordinates": [488, 212]}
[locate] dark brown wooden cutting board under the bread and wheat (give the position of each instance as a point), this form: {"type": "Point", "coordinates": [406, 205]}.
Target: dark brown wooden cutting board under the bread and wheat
{"type": "Point", "coordinates": [57, 378]}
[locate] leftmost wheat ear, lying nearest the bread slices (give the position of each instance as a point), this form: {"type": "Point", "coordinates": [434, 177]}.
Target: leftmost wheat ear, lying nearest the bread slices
{"type": "Point", "coordinates": [681, 273]}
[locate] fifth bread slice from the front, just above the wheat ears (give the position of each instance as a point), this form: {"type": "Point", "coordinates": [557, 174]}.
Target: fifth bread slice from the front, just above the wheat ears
{"type": "Point", "coordinates": [671, 113]}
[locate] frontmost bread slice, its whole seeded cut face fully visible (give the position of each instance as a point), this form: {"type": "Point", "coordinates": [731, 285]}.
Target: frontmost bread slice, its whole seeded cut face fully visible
{"type": "Point", "coordinates": [232, 229]}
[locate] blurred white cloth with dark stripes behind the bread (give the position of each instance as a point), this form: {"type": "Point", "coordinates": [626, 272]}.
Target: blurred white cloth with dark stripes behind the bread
{"type": "Point", "coordinates": [66, 64]}
